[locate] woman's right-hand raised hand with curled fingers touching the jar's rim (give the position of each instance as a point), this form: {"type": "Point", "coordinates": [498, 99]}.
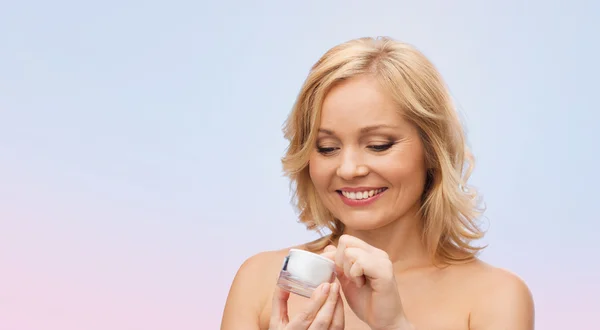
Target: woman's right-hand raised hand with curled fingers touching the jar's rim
{"type": "Point", "coordinates": [367, 279]}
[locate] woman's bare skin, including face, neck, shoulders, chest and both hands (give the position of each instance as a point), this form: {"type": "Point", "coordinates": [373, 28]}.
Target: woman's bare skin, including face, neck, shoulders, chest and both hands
{"type": "Point", "coordinates": [365, 145]}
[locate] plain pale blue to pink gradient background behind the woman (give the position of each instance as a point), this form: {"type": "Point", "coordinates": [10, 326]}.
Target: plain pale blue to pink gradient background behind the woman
{"type": "Point", "coordinates": [140, 145]}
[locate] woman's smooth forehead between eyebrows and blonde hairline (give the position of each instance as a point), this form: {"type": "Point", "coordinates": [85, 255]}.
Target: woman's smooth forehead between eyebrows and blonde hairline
{"type": "Point", "coordinates": [359, 102]}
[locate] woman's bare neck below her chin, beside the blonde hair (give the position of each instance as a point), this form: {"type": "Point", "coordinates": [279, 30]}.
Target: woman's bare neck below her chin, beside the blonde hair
{"type": "Point", "coordinates": [401, 240]}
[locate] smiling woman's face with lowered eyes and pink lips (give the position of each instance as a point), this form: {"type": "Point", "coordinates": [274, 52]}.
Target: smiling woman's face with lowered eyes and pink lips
{"type": "Point", "coordinates": [368, 164]}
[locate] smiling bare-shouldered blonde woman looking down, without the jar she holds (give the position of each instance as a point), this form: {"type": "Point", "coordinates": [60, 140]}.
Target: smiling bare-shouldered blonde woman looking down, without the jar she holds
{"type": "Point", "coordinates": [378, 157]}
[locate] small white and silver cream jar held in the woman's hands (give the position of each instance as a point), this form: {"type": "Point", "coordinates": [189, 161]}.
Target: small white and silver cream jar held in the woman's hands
{"type": "Point", "coordinates": [302, 272]}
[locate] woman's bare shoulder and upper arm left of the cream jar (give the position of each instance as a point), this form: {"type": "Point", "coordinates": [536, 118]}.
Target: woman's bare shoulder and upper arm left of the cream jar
{"type": "Point", "coordinates": [251, 289]}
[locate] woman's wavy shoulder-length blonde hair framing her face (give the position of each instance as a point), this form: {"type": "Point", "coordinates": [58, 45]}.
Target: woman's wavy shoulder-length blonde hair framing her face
{"type": "Point", "coordinates": [449, 206]}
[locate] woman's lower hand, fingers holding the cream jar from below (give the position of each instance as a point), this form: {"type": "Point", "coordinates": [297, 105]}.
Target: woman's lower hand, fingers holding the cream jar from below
{"type": "Point", "coordinates": [324, 311]}
